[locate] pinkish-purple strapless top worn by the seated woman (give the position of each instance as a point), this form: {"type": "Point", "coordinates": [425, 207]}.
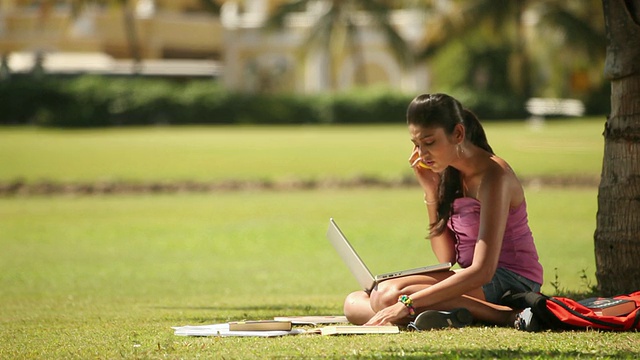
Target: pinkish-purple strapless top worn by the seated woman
{"type": "Point", "coordinates": [518, 252]}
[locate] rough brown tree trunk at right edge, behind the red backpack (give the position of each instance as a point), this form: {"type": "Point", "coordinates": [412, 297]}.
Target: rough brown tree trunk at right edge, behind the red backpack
{"type": "Point", "coordinates": [617, 236]}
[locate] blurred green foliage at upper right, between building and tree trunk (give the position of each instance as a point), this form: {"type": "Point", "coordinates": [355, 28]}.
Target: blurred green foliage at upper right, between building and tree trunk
{"type": "Point", "coordinates": [518, 49]}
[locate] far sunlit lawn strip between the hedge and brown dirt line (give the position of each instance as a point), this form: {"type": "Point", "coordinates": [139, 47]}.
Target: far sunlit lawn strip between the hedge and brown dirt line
{"type": "Point", "coordinates": [569, 147]}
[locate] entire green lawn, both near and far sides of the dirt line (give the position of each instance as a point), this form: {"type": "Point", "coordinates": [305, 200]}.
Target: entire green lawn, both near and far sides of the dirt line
{"type": "Point", "coordinates": [107, 276]}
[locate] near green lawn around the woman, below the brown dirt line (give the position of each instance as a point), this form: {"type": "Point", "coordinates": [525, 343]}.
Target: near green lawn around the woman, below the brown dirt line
{"type": "Point", "coordinates": [107, 276]}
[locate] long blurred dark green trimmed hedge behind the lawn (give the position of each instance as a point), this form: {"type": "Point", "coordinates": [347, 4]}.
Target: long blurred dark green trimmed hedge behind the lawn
{"type": "Point", "coordinates": [92, 101]}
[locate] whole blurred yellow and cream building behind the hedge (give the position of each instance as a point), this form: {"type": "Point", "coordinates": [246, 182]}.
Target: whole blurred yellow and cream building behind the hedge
{"type": "Point", "coordinates": [186, 38]}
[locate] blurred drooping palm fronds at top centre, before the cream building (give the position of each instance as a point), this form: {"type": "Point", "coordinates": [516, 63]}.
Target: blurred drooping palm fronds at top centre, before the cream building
{"type": "Point", "coordinates": [338, 31]}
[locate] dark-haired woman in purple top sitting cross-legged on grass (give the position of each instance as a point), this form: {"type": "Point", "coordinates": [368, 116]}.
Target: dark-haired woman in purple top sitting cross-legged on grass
{"type": "Point", "coordinates": [478, 218]}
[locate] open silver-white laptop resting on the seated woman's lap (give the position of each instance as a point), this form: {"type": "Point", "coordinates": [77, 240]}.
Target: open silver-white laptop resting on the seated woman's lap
{"type": "Point", "coordinates": [360, 271]}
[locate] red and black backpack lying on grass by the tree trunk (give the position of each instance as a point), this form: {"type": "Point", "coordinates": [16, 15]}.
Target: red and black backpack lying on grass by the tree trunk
{"type": "Point", "coordinates": [561, 313]}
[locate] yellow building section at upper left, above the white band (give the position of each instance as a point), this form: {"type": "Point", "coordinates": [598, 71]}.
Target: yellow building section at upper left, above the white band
{"type": "Point", "coordinates": [164, 28]}
